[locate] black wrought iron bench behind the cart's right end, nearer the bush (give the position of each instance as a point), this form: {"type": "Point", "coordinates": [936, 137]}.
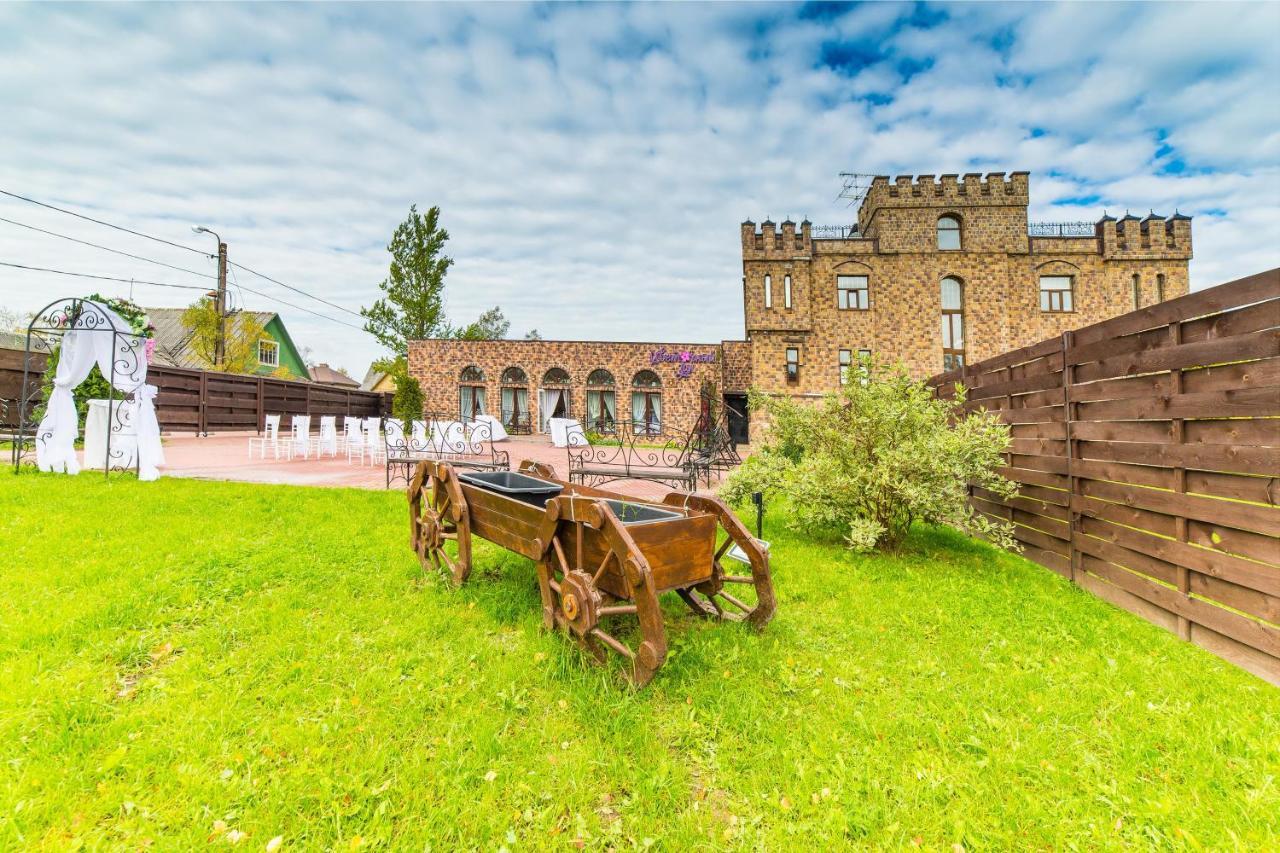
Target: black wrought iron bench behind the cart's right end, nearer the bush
{"type": "Point", "coordinates": [633, 454]}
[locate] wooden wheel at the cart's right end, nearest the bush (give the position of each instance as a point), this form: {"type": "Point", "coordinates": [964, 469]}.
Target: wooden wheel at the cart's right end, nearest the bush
{"type": "Point", "coordinates": [712, 597]}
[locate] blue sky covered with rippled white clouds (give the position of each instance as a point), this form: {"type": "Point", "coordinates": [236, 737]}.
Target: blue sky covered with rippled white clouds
{"type": "Point", "coordinates": [593, 162]}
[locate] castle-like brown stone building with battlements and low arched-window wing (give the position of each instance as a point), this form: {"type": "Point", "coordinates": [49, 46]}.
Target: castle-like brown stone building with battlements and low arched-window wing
{"type": "Point", "coordinates": [935, 273]}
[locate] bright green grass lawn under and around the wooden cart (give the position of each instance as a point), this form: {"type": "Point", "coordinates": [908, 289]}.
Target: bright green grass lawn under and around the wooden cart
{"type": "Point", "coordinates": [189, 663]}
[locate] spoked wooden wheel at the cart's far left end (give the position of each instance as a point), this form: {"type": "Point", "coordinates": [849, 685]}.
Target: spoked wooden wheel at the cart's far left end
{"type": "Point", "coordinates": [438, 516]}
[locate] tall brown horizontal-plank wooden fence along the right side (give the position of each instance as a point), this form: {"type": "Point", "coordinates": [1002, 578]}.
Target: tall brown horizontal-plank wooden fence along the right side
{"type": "Point", "coordinates": [1148, 451]}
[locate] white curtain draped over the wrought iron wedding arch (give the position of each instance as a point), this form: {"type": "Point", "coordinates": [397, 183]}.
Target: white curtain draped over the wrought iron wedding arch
{"type": "Point", "coordinates": [99, 336]}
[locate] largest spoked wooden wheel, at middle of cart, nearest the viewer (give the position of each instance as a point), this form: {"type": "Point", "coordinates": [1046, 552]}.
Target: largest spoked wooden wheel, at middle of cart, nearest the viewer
{"type": "Point", "coordinates": [575, 604]}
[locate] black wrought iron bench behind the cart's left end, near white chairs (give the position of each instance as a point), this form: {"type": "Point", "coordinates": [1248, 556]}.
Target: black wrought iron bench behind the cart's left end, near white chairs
{"type": "Point", "coordinates": [444, 440]}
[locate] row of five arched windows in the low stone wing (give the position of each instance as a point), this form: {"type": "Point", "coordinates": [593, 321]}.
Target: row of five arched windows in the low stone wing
{"type": "Point", "coordinates": [555, 399]}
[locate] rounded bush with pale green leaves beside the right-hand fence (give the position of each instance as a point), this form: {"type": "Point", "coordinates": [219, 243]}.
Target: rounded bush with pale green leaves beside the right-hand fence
{"type": "Point", "coordinates": [867, 463]}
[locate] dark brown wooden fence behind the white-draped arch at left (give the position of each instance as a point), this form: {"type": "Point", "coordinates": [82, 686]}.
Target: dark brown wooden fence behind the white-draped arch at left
{"type": "Point", "coordinates": [205, 402]}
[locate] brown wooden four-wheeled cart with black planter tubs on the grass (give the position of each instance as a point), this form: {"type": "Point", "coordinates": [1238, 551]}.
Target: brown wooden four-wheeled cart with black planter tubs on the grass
{"type": "Point", "coordinates": [604, 558]}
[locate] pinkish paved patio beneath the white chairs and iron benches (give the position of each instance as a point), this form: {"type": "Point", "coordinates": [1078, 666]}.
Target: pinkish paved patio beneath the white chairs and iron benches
{"type": "Point", "coordinates": [226, 458]}
